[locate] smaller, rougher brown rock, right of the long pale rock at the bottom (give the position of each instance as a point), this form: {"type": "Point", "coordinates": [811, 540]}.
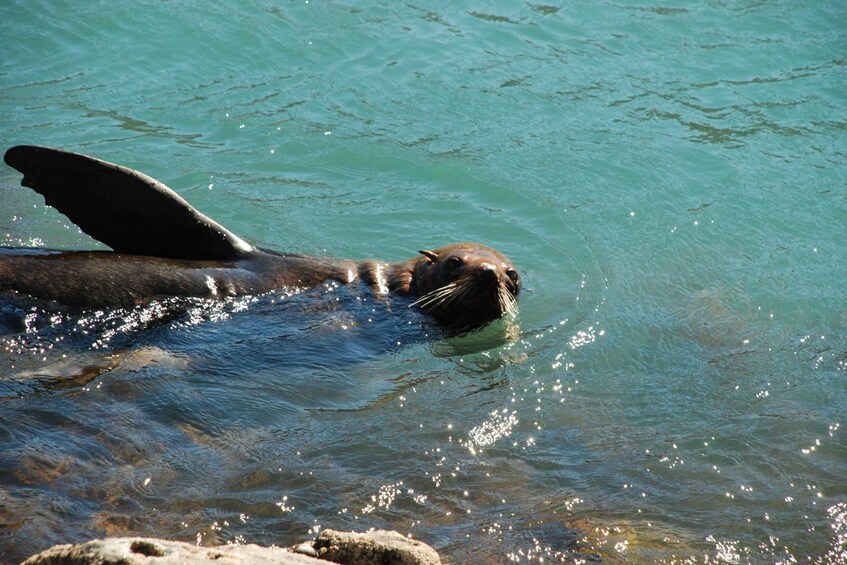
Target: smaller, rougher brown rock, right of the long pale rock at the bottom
{"type": "Point", "coordinates": [380, 547]}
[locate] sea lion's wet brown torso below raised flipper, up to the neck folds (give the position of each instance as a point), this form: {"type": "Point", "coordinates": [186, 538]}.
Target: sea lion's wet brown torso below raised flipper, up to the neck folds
{"type": "Point", "coordinates": [108, 279]}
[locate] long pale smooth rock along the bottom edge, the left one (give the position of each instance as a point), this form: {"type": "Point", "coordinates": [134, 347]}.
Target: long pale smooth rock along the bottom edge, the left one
{"type": "Point", "coordinates": [137, 551]}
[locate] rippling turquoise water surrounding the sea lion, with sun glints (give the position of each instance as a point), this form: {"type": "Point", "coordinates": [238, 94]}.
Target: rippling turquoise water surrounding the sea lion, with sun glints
{"type": "Point", "coordinates": [669, 178]}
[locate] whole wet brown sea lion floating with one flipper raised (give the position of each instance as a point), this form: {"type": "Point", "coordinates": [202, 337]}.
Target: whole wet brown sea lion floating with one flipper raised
{"type": "Point", "coordinates": [163, 247]}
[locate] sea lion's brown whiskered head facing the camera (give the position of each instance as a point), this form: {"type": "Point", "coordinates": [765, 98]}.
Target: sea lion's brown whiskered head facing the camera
{"type": "Point", "coordinates": [465, 284]}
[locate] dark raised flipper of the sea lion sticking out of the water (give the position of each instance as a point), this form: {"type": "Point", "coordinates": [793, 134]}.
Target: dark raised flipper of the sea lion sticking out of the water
{"type": "Point", "coordinates": [127, 210]}
